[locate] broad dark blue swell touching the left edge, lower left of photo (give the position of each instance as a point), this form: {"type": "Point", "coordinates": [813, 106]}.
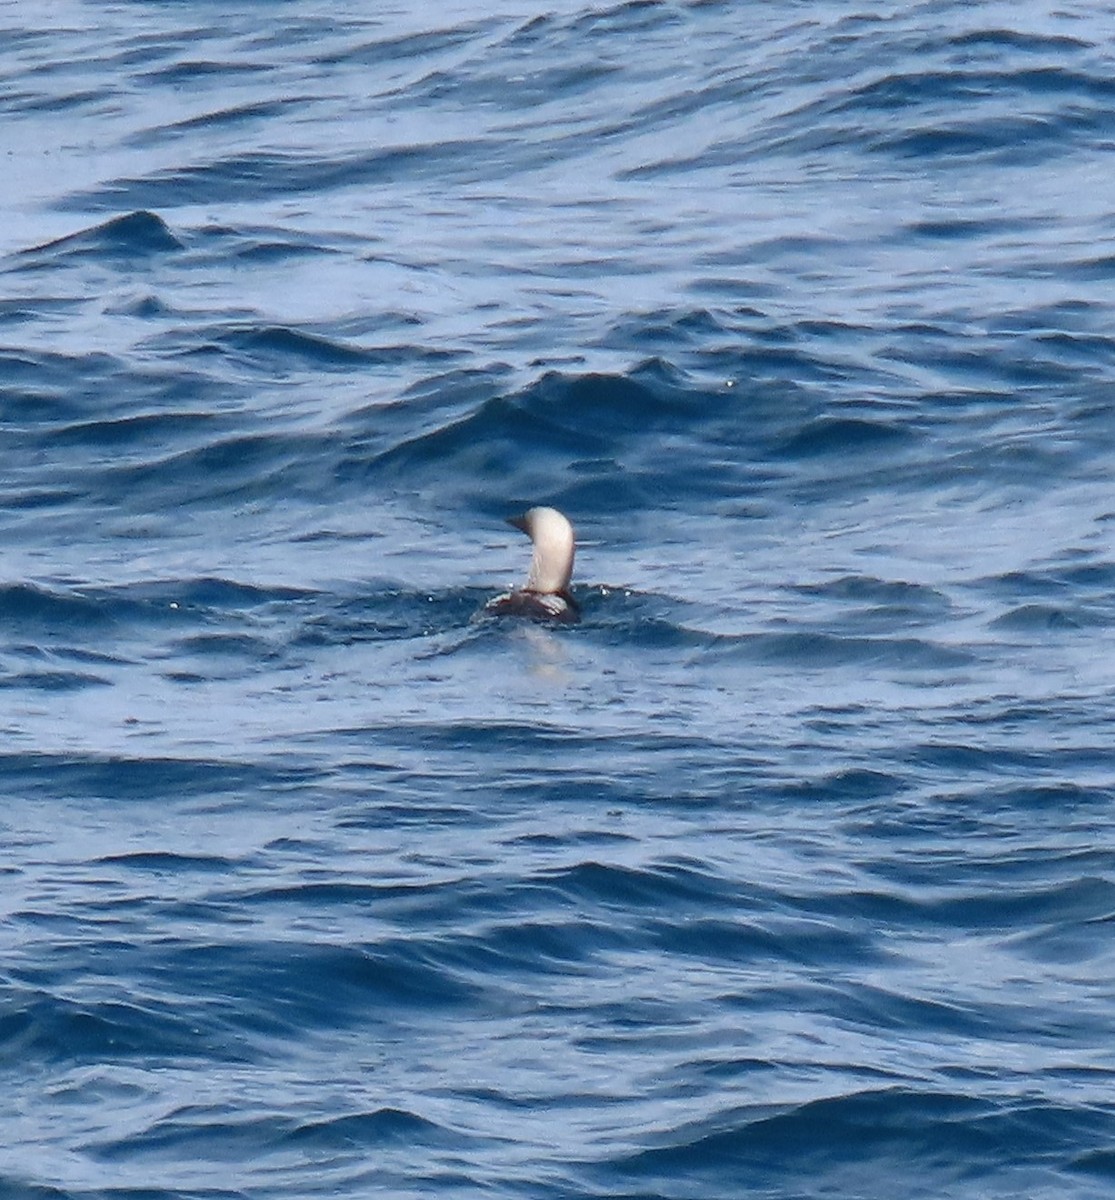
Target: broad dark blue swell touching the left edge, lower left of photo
{"type": "Point", "coordinates": [230, 1001]}
